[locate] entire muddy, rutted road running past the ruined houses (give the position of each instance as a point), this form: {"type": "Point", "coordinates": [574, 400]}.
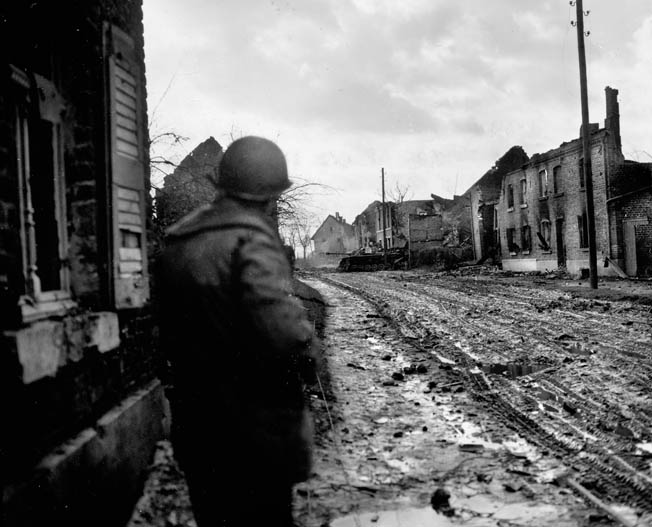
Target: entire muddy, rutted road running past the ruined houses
{"type": "Point", "coordinates": [526, 402]}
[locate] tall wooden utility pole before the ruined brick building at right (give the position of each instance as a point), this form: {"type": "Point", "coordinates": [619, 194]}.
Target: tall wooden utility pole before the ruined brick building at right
{"type": "Point", "coordinates": [586, 147]}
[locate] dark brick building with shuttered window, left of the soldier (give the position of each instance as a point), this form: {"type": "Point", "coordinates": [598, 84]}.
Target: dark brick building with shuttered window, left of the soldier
{"type": "Point", "coordinates": [81, 408]}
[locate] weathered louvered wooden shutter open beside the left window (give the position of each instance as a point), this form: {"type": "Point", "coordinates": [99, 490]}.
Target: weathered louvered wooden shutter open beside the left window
{"type": "Point", "coordinates": [127, 171]}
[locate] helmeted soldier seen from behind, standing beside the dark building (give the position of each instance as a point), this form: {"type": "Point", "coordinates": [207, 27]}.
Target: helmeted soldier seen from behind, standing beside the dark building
{"type": "Point", "coordinates": [239, 347]}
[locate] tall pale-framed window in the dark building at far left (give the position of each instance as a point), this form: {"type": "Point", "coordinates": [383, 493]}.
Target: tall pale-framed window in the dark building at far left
{"type": "Point", "coordinates": [41, 188]}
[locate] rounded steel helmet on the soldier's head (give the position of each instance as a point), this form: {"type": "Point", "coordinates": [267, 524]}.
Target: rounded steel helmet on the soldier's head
{"type": "Point", "coordinates": [253, 168]}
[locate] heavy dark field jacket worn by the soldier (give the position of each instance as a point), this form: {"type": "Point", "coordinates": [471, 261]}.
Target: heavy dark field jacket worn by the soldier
{"type": "Point", "coordinates": [237, 341]}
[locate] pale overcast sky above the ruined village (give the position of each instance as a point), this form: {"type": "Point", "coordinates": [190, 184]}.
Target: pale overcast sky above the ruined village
{"type": "Point", "coordinates": [434, 91]}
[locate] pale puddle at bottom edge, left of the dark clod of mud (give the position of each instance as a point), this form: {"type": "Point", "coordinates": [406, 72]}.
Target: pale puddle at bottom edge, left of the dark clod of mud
{"type": "Point", "coordinates": [424, 517]}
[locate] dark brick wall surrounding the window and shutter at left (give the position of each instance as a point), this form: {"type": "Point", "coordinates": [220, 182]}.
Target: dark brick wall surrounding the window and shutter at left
{"type": "Point", "coordinates": [60, 374]}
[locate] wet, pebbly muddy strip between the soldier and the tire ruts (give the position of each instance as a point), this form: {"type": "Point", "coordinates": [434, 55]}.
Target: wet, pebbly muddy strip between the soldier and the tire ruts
{"type": "Point", "coordinates": [364, 348]}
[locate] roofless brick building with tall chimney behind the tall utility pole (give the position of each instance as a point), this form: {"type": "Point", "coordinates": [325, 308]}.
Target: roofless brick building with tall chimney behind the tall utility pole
{"type": "Point", "coordinates": [541, 213]}
